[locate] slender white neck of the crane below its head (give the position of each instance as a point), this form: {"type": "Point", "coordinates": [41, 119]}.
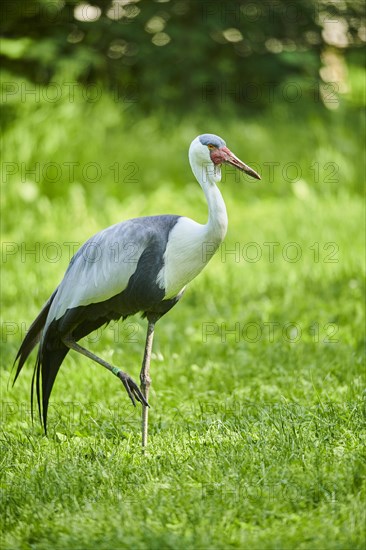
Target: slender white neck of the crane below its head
{"type": "Point", "coordinates": [208, 175]}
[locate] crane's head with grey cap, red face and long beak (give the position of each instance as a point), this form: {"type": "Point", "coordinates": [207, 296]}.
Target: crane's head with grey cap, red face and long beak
{"type": "Point", "coordinates": [209, 148]}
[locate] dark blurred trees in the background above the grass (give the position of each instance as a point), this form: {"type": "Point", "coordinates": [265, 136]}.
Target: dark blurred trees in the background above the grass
{"type": "Point", "coordinates": [179, 54]}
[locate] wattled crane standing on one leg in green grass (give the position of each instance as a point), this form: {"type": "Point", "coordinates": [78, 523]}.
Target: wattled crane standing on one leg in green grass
{"type": "Point", "coordinates": [141, 265]}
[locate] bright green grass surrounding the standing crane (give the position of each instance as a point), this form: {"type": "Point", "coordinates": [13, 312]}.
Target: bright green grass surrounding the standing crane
{"type": "Point", "coordinates": [257, 418]}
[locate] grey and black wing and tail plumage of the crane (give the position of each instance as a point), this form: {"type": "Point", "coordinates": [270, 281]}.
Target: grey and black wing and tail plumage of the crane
{"type": "Point", "coordinates": [105, 280]}
